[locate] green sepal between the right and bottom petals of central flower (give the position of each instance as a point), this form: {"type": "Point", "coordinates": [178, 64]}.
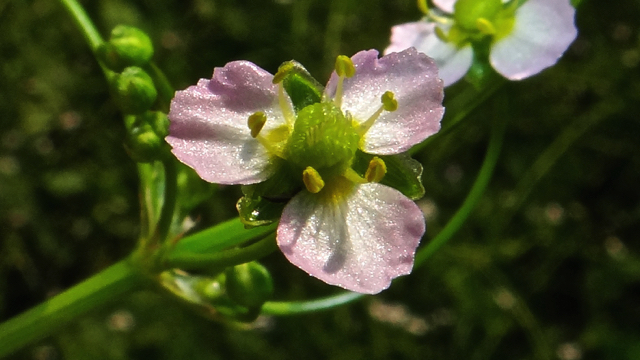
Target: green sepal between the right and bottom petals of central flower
{"type": "Point", "coordinates": [403, 172]}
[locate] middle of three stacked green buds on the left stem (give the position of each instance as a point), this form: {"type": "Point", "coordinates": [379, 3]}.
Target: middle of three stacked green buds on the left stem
{"type": "Point", "coordinates": [134, 90]}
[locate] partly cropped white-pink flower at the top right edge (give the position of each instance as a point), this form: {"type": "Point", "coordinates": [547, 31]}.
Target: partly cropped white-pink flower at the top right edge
{"type": "Point", "coordinates": [534, 38]}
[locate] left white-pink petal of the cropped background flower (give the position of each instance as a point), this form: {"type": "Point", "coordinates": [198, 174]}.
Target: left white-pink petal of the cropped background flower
{"type": "Point", "coordinates": [453, 62]}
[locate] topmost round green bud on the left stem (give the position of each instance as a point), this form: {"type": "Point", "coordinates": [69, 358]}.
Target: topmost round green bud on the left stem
{"type": "Point", "coordinates": [127, 46]}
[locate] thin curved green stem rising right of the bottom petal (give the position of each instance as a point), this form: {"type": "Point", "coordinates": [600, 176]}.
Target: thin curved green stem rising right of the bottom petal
{"type": "Point", "coordinates": [474, 196]}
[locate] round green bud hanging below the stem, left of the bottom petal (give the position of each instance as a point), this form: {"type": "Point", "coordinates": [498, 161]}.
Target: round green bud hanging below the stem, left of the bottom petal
{"type": "Point", "coordinates": [249, 284]}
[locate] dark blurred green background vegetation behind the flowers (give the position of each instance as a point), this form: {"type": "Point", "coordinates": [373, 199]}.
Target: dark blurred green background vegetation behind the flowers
{"type": "Point", "coordinates": [547, 267]}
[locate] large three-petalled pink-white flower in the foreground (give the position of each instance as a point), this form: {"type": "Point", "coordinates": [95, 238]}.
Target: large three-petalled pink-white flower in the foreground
{"type": "Point", "coordinates": [355, 234]}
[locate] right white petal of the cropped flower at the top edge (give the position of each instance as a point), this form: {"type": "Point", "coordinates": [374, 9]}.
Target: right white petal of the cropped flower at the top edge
{"type": "Point", "coordinates": [543, 30]}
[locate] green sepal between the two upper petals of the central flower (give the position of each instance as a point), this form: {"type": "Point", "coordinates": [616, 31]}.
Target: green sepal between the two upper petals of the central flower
{"type": "Point", "coordinates": [302, 88]}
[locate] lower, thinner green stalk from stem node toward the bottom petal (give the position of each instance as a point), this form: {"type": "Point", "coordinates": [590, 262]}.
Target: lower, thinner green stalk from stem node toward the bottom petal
{"type": "Point", "coordinates": [194, 261]}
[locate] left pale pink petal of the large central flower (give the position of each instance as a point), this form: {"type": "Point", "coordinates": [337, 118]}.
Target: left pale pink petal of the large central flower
{"type": "Point", "coordinates": [209, 129]}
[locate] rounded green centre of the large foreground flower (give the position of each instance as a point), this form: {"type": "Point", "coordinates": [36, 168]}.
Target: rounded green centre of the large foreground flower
{"type": "Point", "coordinates": [322, 137]}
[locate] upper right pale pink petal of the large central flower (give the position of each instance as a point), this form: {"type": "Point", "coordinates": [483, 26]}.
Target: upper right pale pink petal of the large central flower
{"type": "Point", "coordinates": [413, 78]}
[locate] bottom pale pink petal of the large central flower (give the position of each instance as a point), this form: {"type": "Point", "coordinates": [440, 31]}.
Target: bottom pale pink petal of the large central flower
{"type": "Point", "coordinates": [359, 243]}
